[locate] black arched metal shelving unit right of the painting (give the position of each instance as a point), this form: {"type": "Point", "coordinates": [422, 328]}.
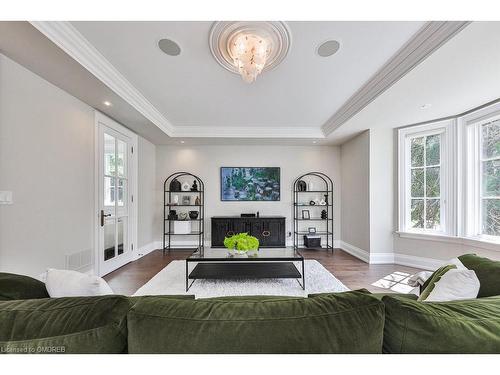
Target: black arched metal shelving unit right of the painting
{"type": "Point", "coordinates": [322, 189]}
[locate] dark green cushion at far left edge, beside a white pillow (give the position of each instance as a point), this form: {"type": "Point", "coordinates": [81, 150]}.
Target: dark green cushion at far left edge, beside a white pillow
{"type": "Point", "coordinates": [14, 287]}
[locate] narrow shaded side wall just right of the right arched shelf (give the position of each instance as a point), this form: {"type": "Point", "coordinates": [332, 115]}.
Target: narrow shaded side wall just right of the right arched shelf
{"type": "Point", "coordinates": [355, 192]}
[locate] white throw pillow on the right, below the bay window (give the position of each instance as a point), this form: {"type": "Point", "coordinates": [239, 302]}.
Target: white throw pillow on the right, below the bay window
{"type": "Point", "coordinates": [455, 285]}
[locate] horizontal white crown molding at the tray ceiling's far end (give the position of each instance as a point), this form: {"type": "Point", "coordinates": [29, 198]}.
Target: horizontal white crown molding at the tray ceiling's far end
{"type": "Point", "coordinates": [247, 132]}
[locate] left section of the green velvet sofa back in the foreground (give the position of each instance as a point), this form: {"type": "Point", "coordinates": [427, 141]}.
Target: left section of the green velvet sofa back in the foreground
{"type": "Point", "coordinates": [65, 325]}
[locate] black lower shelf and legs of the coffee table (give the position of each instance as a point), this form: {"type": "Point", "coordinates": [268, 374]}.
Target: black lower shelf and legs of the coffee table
{"type": "Point", "coordinates": [245, 270]}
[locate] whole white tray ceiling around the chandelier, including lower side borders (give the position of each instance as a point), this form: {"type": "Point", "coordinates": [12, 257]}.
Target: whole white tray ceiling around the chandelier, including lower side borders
{"type": "Point", "coordinates": [207, 104]}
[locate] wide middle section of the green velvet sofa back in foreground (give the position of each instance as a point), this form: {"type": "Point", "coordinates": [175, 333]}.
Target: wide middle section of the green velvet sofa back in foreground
{"type": "Point", "coordinates": [349, 322]}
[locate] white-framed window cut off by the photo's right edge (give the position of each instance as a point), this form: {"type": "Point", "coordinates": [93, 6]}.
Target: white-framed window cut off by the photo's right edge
{"type": "Point", "coordinates": [481, 156]}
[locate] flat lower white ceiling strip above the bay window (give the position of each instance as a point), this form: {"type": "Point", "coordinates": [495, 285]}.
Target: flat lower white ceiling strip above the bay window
{"type": "Point", "coordinates": [459, 76]}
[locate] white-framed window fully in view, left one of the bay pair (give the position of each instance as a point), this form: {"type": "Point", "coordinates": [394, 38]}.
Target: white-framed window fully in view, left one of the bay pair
{"type": "Point", "coordinates": [426, 168]}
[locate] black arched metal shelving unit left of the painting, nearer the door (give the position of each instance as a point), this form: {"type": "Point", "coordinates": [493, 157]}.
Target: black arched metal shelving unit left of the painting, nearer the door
{"type": "Point", "coordinates": [183, 212]}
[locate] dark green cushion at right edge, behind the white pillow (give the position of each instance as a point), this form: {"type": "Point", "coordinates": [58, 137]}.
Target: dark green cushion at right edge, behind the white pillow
{"type": "Point", "coordinates": [487, 271]}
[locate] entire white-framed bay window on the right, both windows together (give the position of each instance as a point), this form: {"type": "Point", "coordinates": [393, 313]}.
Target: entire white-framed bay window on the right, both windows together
{"type": "Point", "coordinates": [449, 178]}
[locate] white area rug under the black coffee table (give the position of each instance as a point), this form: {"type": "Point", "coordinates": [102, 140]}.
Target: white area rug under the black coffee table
{"type": "Point", "coordinates": [172, 281]}
